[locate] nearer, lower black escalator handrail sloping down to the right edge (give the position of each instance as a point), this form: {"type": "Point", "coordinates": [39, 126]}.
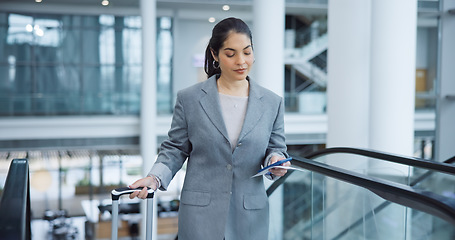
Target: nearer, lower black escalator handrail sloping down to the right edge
{"type": "Point", "coordinates": [440, 206]}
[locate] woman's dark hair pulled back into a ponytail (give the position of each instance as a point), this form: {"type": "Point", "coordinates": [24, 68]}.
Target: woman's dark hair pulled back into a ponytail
{"type": "Point", "coordinates": [219, 34]}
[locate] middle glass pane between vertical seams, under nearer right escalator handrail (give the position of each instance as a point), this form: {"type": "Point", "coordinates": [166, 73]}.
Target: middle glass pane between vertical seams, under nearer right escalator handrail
{"type": "Point", "coordinates": [351, 212]}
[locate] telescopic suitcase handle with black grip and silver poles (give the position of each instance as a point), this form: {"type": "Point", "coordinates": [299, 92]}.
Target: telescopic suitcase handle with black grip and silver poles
{"type": "Point", "coordinates": [115, 194]}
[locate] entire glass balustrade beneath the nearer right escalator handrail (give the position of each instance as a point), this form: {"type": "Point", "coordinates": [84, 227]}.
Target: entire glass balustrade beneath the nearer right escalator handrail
{"type": "Point", "coordinates": [311, 206]}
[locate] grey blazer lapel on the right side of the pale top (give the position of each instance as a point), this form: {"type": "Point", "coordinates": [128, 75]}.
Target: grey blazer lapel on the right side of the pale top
{"type": "Point", "coordinates": [254, 110]}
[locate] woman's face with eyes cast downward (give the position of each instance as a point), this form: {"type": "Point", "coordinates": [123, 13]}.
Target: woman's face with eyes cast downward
{"type": "Point", "coordinates": [235, 57]}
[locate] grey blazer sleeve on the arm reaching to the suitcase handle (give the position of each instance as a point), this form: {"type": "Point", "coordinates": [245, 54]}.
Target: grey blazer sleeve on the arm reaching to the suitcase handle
{"type": "Point", "coordinates": [175, 150]}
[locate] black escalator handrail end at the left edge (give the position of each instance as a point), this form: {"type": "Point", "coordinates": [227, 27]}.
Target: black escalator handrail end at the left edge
{"type": "Point", "coordinates": [15, 204]}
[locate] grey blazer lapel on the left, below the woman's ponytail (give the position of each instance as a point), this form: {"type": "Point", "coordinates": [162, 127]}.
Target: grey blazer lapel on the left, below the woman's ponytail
{"type": "Point", "coordinates": [211, 105]}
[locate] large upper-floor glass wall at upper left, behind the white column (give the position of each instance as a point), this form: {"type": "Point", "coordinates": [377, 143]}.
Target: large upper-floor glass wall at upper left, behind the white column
{"type": "Point", "coordinates": [63, 64]}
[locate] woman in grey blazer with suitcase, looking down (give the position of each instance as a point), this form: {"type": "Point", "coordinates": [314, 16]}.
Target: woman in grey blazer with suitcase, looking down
{"type": "Point", "coordinates": [227, 127]}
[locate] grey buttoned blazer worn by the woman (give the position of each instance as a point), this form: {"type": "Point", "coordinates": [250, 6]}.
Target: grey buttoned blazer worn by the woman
{"type": "Point", "coordinates": [219, 198]}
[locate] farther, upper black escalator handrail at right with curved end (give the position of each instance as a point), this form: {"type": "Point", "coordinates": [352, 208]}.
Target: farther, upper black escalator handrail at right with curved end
{"type": "Point", "coordinates": [444, 167]}
